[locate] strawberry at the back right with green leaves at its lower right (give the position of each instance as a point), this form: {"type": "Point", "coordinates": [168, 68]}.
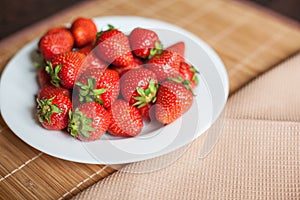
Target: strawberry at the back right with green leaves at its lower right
{"type": "Point", "coordinates": [144, 43]}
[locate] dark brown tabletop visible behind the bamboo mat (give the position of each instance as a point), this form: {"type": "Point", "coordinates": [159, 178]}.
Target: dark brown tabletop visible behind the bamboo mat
{"type": "Point", "coordinates": [37, 10]}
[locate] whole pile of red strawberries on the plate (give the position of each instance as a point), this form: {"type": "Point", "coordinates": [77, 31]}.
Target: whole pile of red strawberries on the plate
{"type": "Point", "coordinates": [96, 82]}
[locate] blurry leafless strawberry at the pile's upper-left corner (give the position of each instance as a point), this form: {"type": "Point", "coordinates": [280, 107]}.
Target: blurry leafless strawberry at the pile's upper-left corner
{"type": "Point", "coordinates": [56, 41]}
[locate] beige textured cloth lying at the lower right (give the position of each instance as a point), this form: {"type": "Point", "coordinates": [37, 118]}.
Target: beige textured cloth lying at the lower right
{"type": "Point", "coordinates": [257, 155]}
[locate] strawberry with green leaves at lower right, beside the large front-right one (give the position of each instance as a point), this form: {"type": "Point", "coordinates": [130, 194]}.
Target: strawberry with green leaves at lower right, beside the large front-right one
{"type": "Point", "coordinates": [139, 87]}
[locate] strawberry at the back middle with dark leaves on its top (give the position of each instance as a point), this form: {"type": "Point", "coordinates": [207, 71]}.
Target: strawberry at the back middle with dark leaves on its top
{"type": "Point", "coordinates": [113, 47]}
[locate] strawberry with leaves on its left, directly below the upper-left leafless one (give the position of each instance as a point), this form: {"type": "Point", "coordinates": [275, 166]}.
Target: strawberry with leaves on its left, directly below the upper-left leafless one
{"type": "Point", "coordinates": [64, 68]}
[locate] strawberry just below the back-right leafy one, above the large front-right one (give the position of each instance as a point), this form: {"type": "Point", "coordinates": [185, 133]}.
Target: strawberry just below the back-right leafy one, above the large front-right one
{"type": "Point", "coordinates": [165, 65]}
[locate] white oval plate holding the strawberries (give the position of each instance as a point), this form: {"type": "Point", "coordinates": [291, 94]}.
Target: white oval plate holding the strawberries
{"type": "Point", "coordinates": [19, 87]}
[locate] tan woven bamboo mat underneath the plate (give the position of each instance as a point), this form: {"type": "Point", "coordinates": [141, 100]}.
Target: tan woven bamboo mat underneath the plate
{"type": "Point", "coordinates": [249, 41]}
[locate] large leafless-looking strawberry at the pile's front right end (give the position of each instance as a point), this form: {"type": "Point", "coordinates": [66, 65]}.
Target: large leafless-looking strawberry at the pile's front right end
{"type": "Point", "coordinates": [173, 100]}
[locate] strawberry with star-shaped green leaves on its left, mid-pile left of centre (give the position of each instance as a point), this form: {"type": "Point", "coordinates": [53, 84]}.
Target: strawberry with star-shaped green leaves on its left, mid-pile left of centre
{"type": "Point", "coordinates": [99, 85]}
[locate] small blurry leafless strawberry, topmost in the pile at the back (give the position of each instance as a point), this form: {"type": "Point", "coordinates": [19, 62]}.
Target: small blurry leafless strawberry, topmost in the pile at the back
{"type": "Point", "coordinates": [84, 31]}
